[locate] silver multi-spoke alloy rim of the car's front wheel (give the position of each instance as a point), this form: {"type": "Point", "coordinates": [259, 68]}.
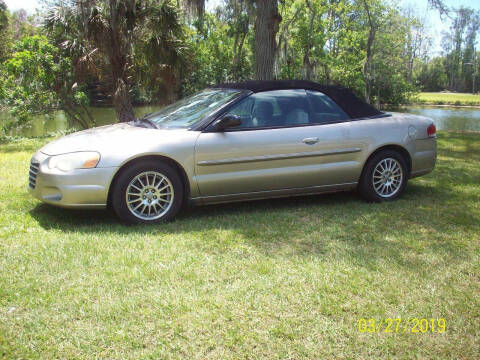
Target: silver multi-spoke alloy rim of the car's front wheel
{"type": "Point", "coordinates": [149, 195]}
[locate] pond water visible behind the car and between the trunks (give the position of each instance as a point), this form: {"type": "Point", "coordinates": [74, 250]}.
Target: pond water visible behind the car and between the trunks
{"type": "Point", "coordinates": [446, 118]}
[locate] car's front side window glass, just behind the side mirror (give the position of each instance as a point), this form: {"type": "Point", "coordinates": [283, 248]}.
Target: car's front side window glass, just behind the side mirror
{"type": "Point", "coordinates": [273, 109]}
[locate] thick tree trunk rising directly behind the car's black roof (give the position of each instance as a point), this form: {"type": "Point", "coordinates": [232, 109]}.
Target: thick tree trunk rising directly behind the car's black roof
{"type": "Point", "coordinates": [266, 28]}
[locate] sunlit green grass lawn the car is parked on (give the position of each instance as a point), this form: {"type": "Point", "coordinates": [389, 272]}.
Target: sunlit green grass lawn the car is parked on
{"type": "Point", "coordinates": [286, 278]}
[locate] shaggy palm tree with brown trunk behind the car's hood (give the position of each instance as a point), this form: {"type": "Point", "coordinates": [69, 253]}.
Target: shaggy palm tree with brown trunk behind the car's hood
{"type": "Point", "coordinates": [117, 39]}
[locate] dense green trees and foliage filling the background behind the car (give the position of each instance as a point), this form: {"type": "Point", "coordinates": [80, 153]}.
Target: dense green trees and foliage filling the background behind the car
{"type": "Point", "coordinates": [75, 54]}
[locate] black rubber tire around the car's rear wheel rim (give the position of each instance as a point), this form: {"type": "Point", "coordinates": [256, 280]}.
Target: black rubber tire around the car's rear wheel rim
{"type": "Point", "coordinates": [372, 192]}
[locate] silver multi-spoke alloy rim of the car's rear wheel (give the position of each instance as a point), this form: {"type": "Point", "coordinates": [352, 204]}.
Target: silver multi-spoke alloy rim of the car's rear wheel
{"type": "Point", "coordinates": [387, 177]}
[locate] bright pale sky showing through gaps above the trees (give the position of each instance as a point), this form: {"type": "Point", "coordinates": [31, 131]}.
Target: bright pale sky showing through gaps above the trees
{"type": "Point", "coordinates": [435, 24]}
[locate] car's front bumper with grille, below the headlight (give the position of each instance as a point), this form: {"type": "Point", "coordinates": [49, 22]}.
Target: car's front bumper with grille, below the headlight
{"type": "Point", "coordinates": [81, 188]}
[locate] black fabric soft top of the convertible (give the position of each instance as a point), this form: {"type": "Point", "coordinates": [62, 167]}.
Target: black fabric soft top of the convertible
{"type": "Point", "coordinates": [344, 97]}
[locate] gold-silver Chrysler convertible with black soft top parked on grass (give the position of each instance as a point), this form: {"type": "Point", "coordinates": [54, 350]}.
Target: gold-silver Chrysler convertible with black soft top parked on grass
{"type": "Point", "coordinates": [231, 142]}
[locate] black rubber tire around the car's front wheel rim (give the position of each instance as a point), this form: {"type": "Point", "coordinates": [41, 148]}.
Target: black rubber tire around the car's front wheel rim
{"type": "Point", "coordinates": [147, 168]}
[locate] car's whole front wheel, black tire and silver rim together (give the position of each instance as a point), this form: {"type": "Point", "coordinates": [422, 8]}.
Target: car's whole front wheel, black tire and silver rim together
{"type": "Point", "coordinates": [148, 192]}
